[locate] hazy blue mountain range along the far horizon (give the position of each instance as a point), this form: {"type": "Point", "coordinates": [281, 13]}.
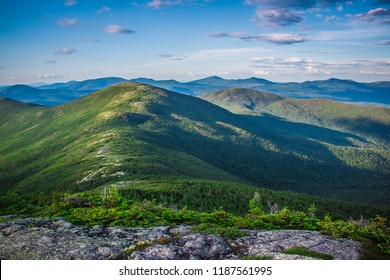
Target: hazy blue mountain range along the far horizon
{"type": "Point", "coordinates": [377, 93]}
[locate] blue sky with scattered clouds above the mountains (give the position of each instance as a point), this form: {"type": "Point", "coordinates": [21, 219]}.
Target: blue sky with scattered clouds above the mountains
{"type": "Point", "coordinates": [290, 40]}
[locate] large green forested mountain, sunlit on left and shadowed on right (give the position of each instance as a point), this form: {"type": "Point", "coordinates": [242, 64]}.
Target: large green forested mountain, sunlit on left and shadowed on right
{"type": "Point", "coordinates": [131, 134]}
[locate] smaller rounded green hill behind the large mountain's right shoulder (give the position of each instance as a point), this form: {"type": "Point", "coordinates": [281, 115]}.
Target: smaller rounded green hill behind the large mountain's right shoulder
{"type": "Point", "coordinates": [372, 123]}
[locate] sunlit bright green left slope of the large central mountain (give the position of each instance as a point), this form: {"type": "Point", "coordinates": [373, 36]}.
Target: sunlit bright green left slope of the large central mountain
{"type": "Point", "coordinates": [88, 142]}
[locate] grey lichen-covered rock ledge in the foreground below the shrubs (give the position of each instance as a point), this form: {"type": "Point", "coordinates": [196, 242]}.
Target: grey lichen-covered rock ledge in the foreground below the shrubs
{"type": "Point", "coordinates": [42, 238]}
